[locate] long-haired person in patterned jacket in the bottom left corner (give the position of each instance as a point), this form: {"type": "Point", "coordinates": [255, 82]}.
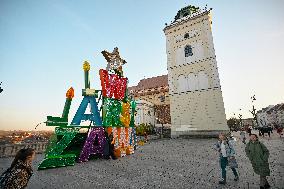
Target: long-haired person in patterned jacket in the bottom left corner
{"type": "Point", "coordinates": [20, 171]}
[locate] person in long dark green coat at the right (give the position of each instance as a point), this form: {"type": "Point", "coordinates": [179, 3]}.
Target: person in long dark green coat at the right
{"type": "Point", "coordinates": [258, 155]}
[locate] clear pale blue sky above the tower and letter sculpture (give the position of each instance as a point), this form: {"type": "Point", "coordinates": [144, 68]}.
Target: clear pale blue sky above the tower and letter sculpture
{"type": "Point", "coordinates": [43, 45]}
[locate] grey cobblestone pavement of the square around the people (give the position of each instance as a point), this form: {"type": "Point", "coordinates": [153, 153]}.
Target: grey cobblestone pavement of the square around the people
{"type": "Point", "coordinates": [164, 163]}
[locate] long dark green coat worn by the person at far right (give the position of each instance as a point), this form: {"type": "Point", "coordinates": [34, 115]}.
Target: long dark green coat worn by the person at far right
{"type": "Point", "coordinates": [258, 155]}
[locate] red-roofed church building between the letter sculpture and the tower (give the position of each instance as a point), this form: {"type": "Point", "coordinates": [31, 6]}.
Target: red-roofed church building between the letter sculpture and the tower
{"type": "Point", "coordinates": [152, 96]}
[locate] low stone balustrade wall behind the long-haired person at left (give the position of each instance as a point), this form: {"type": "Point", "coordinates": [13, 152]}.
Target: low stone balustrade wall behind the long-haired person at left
{"type": "Point", "coordinates": [12, 149]}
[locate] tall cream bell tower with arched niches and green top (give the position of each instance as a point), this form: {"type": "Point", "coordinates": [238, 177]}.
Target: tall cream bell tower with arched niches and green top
{"type": "Point", "coordinates": [196, 101]}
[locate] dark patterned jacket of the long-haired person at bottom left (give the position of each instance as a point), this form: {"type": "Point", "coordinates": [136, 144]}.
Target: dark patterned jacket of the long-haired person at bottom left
{"type": "Point", "coordinates": [16, 177]}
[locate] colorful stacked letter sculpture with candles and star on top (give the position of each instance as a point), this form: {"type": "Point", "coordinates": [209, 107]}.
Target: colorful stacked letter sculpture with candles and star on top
{"type": "Point", "coordinates": [117, 117]}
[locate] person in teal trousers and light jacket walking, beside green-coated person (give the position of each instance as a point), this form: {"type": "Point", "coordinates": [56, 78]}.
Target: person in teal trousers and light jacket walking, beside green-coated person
{"type": "Point", "coordinates": [226, 152]}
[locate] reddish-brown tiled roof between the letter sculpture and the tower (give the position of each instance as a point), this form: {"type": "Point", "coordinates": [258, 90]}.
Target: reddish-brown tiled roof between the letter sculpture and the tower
{"type": "Point", "coordinates": [149, 83]}
